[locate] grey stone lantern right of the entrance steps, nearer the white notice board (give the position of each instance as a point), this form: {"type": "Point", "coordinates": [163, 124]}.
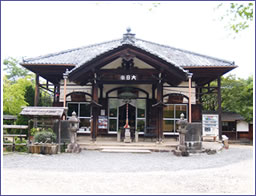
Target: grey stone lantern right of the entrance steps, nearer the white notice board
{"type": "Point", "coordinates": [182, 129]}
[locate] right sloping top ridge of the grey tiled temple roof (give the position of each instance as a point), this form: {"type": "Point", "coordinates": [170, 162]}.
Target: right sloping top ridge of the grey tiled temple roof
{"type": "Point", "coordinates": [187, 51]}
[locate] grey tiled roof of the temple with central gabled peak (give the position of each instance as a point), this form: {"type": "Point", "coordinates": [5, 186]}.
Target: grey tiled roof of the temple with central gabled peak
{"type": "Point", "coordinates": [177, 57]}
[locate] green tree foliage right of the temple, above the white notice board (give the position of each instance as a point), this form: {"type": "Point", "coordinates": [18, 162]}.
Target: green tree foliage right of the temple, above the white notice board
{"type": "Point", "coordinates": [236, 95]}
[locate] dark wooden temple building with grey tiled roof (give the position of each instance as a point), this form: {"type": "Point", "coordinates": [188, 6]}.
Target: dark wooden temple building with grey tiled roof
{"type": "Point", "coordinates": [157, 82]}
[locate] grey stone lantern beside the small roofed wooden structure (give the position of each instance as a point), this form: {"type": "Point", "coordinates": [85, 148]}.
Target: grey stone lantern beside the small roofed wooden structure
{"type": "Point", "coordinates": [73, 128]}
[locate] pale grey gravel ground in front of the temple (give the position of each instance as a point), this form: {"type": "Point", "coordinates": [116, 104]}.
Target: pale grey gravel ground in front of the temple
{"type": "Point", "coordinates": [92, 172]}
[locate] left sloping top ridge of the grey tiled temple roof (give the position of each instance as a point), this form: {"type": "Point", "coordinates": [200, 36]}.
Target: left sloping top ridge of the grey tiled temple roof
{"type": "Point", "coordinates": [67, 51]}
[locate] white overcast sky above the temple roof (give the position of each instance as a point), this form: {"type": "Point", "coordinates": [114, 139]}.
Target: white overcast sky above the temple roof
{"type": "Point", "coordinates": [30, 29]}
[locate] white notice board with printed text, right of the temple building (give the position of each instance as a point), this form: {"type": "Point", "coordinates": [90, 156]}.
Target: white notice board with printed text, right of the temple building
{"type": "Point", "coordinates": [210, 125]}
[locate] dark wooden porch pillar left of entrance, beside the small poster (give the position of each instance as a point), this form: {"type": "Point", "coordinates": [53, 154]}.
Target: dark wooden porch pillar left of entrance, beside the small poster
{"type": "Point", "coordinates": [95, 114]}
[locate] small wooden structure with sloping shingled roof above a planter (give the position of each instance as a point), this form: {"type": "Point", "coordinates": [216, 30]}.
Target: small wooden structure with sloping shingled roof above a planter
{"type": "Point", "coordinates": [54, 113]}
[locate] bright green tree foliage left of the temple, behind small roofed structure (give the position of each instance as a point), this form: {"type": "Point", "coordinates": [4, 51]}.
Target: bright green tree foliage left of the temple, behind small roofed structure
{"type": "Point", "coordinates": [19, 90]}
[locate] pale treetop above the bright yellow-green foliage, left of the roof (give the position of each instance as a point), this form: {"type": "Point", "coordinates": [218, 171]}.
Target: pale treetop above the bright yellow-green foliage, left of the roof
{"type": "Point", "coordinates": [13, 70]}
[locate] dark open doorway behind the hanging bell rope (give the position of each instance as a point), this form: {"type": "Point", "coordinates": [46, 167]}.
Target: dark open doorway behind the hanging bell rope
{"type": "Point", "coordinates": [131, 116]}
